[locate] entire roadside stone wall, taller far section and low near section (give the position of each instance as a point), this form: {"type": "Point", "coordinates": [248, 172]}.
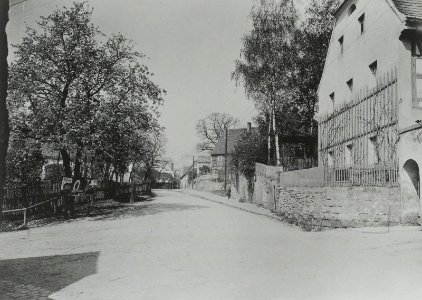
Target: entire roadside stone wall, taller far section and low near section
{"type": "Point", "coordinates": [301, 198]}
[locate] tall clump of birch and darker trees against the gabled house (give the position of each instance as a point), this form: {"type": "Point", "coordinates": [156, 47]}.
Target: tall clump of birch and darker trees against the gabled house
{"type": "Point", "coordinates": [281, 64]}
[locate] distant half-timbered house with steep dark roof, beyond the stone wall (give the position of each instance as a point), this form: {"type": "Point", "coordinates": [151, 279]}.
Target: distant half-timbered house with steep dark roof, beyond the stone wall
{"type": "Point", "coordinates": [218, 153]}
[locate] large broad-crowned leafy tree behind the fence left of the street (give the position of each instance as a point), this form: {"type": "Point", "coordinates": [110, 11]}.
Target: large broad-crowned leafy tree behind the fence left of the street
{"type": "Point", "coordinates": [79, 85]}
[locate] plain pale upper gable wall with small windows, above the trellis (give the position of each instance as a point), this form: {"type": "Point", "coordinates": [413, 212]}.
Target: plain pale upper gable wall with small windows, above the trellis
{"type": "Point", "coordinates": [379, 42]}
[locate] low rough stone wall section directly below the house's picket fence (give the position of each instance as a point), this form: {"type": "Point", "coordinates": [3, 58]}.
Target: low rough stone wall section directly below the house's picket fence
{"type": "Point", "coordinates": [339, 206]}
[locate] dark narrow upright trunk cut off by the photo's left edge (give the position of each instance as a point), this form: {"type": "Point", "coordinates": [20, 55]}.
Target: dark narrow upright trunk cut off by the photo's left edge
{"type": "Point", "coordinates": [4, 115]}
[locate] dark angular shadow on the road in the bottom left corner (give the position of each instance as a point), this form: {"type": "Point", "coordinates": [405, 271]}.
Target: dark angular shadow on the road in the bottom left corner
{"type": "Point", "coordinates": [39, 277]}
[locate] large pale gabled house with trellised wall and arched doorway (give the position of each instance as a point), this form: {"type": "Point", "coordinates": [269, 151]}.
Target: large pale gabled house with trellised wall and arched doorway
{"type": "Point", "coordinates": [370, 99]}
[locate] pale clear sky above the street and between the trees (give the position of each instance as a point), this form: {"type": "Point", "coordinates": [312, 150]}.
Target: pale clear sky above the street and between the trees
{"type": "Point", "coordinates": [190, 46]}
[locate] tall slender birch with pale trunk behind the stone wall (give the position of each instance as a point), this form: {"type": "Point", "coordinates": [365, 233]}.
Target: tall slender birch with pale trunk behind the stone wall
{"type": "Point", "coordinates": [266, 64]}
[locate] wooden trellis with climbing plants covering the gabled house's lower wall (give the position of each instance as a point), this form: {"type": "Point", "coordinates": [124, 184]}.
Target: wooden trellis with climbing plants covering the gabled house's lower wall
{"type": "Point", "coordinates": [358, 141]}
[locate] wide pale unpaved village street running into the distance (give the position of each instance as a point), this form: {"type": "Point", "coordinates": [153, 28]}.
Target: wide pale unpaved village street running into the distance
{"type": "Point", "coordinates": [183, 247]}
